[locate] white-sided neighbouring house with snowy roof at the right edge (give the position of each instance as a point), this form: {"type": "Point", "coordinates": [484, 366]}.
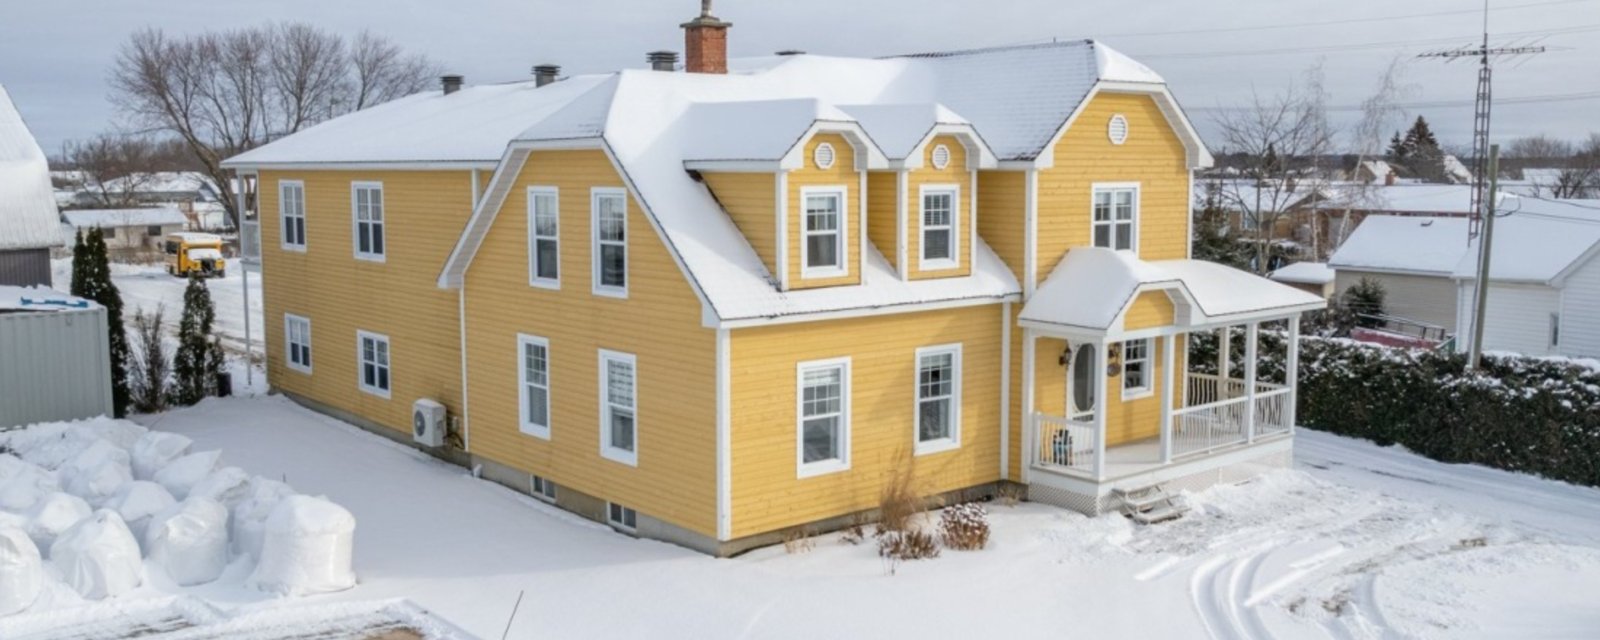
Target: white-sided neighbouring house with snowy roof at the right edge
{"type": "Point", "coordinates": [1545, 281]}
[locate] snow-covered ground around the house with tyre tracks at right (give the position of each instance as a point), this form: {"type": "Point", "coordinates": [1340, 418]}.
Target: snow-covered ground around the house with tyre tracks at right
{"type": "Point", "coordinates": [1358, 542]}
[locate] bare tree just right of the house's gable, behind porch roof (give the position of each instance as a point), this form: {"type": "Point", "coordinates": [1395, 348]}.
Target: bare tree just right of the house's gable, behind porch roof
{"type": "Point", "coordinates": [1279, 140]}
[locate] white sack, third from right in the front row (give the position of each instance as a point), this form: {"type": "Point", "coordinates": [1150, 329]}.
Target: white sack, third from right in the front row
{"type": "Point", "coordinates": [98, 558]}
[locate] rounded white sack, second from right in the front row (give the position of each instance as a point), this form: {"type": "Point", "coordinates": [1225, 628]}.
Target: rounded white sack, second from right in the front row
{"type": "Point", "coordinates": [190, 542]}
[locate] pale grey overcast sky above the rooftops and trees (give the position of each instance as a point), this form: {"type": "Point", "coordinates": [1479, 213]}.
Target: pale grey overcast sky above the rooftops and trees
{"type": "Point", "coordinates": [55, 54]}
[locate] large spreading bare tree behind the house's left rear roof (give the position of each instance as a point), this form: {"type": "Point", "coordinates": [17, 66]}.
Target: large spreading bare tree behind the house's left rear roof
{"type": "Point", "coordinates": [223, 94]}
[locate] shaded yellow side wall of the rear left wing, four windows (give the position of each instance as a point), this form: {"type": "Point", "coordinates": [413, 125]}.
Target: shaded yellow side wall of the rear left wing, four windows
{"type": "Point", "coordinates": [423, 215]}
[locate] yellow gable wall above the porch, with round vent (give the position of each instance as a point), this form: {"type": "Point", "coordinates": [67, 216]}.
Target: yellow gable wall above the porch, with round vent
{"type": "Point", "coordinates": [1153, 156]}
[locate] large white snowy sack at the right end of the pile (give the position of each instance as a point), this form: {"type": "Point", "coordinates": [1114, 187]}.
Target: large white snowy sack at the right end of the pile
{"type": "Point", "coordinates": [308, 548]}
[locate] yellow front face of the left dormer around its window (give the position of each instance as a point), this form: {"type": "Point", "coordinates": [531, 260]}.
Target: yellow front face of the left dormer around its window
{"type": "Point", "coordinates": [844, 177]}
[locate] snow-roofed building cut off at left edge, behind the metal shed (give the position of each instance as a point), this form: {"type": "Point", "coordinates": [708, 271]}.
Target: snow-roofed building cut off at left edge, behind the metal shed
{"type": "Point", "coordinates": [30, 226]}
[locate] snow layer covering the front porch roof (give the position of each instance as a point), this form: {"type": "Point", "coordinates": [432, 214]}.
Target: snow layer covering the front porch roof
{"type": "Point", "coordinates": [1092, 287]}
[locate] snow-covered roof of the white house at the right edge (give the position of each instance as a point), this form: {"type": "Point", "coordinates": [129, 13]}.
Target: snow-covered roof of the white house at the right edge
{"type": "Point", "coordinates": [1538, 242]}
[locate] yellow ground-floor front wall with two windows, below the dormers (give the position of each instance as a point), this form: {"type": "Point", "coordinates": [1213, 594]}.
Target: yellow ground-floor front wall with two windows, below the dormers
{"type": "Point", "coordinates": [767, 494]}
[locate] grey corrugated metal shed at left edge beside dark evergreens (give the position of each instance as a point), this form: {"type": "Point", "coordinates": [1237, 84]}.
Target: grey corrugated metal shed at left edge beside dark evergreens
{"type": "Point", "coordinates": [55, 358]}
